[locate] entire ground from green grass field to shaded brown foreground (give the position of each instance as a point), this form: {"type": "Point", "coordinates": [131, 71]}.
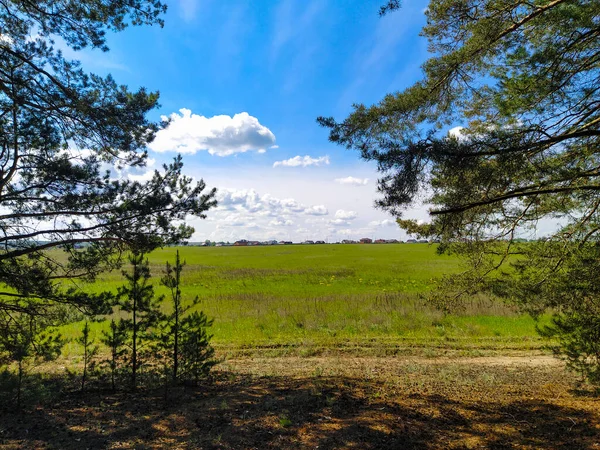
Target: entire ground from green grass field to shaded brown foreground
{"type": "Point", "coordinates": [325, 347]}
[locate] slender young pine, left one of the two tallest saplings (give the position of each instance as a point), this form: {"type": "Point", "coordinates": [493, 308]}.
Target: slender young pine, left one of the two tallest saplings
{"type": "Point", "coordinates": [137, 298]}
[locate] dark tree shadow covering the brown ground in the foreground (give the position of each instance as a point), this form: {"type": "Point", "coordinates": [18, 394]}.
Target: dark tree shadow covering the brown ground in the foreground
{"type": "Point", "coordinates": [241, 412]}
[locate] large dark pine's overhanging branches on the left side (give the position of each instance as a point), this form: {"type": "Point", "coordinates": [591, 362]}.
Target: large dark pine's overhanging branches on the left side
{"type": "Point", "coordinates": [61, 133]}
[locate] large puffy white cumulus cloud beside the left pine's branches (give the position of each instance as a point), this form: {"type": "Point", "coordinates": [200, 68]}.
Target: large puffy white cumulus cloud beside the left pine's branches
{"type": "Point", "coordinates": [219, 135]}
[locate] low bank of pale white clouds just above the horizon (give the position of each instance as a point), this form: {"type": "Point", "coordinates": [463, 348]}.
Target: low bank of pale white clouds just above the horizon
{"type": "Point", "coordinates": [269, 199]}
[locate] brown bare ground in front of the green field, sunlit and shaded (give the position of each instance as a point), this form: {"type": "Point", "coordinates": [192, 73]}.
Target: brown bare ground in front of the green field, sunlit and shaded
{"type": "Point", "coordinates": [520, 402]}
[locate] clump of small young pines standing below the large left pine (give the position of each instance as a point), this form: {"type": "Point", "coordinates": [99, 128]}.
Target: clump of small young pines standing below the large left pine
{"type": "Point", "coordinates": [171, 347]}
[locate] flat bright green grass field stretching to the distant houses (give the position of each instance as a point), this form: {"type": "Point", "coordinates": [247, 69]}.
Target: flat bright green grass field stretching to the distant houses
{"type": "Point", "coordinates": [309, 299]}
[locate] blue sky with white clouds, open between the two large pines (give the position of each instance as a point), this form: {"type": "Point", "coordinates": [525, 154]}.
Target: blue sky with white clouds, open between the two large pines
{"type": "Point", "coordinates": [244, 82]}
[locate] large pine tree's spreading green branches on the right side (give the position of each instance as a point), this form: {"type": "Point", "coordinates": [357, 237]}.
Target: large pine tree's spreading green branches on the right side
{"type": "Point", "coordinates": [521, 80]}
